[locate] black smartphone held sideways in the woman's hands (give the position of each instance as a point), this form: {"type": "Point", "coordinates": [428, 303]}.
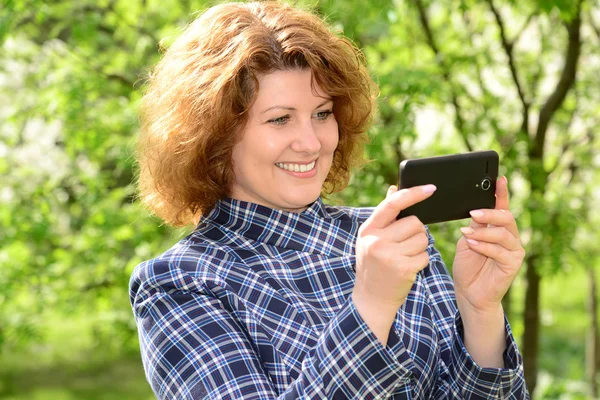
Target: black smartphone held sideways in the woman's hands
{"type": "Point", "coordinates": [465, 182]}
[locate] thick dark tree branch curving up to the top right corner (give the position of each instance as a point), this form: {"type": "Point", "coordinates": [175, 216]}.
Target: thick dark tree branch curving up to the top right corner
{"type": "Point", "coordinates": [566, 81]}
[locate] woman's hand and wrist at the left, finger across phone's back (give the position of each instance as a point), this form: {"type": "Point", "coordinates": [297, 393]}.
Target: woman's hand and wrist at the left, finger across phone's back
{"type": "Point", "coordinates": [389, 254]}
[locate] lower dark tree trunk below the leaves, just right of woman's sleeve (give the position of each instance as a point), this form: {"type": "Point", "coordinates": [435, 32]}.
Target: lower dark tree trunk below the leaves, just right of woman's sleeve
{"type": "Point", "coordinates": [532, 324]}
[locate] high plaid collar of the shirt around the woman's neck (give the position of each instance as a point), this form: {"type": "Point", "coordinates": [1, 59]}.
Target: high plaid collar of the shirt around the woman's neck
{"type": "Point", "coordinates": [314, 230]}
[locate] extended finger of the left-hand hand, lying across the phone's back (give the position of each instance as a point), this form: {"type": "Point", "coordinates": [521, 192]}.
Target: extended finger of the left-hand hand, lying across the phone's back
{"type": "Point", "coordinates": [387, 211]}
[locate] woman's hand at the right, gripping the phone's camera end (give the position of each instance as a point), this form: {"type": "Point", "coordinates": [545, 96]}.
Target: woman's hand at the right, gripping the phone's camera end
{"type": "Point", "coordinates": [488, 256]}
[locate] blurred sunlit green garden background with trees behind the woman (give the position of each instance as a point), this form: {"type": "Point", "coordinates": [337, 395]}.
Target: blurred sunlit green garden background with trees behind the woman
{"type": "Point", "coordinates": [519, 77]}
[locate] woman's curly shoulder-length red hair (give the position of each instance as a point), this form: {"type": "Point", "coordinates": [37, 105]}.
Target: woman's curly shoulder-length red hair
{"type": "Point", "coordinates": [199, 93]}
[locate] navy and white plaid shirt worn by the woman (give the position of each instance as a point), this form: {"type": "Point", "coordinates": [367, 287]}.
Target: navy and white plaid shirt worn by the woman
{"type": "Point", "coordinates": [256, 304]}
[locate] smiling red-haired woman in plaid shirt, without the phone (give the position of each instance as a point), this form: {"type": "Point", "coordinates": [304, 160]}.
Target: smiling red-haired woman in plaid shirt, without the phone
{"type": "Point", "coordinates": [251, 114]}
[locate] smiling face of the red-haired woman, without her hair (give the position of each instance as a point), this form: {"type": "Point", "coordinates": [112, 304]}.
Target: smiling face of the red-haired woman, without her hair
{"type": "Point", "coordinates": [287, 145]}
